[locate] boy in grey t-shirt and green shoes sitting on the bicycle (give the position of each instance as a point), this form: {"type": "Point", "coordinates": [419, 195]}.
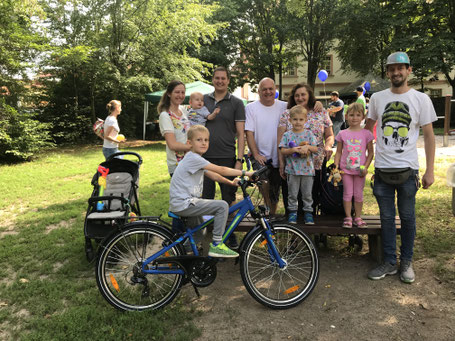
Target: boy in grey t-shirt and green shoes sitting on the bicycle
{"type": "Point", "coordinates": [186, 189]}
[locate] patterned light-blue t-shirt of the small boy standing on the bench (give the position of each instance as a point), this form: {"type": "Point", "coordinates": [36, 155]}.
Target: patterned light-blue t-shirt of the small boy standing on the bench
{"type": "Point", "coordinates": [298, 165]}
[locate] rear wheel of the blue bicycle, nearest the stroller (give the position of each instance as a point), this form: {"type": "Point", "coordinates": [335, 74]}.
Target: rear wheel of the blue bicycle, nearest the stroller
{"type": "Point", "coordinates": [119, 273]}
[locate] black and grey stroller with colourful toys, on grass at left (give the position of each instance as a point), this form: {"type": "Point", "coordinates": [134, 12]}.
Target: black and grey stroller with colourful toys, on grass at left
{"type": "Point", "coordinates": [114, 198]}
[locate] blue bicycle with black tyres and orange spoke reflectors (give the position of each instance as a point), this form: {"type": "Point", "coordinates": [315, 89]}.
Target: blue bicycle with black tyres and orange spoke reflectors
{"type": "Point", "coordinates": [144, 265]}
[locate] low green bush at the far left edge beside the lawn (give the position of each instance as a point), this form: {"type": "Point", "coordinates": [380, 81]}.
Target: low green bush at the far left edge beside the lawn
{"type": "Point", "coordinates": [21, 136]}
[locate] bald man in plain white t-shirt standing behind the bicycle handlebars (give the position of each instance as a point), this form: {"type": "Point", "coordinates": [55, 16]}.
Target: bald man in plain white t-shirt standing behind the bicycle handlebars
{"type": "Point", "coordinates": [262, 118]}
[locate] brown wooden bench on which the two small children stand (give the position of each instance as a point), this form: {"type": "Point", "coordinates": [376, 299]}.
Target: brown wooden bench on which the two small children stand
{"type": "Point", "coordinates": [331, 225]}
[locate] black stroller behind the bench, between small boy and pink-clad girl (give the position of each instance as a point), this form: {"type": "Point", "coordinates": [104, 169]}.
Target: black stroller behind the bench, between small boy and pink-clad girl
{"type": "Point", "coordinates": [330, 202]}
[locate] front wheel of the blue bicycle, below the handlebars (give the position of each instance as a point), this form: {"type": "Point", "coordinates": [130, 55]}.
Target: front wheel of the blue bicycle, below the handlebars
{"type": "Point", "coordinates": [270, 285]}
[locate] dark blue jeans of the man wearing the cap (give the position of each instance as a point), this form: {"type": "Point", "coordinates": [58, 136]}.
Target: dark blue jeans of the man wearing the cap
{"type": "Point", "coordinates": [385, 196]}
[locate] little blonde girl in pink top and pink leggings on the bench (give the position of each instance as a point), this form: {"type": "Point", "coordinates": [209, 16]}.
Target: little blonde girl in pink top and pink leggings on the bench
{"type": "Point", "coordinates": [354, 155]}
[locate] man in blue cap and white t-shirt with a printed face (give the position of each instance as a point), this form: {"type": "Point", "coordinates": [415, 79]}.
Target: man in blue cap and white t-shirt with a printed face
{"type": "Point", "coordinates": [400, 113]}
